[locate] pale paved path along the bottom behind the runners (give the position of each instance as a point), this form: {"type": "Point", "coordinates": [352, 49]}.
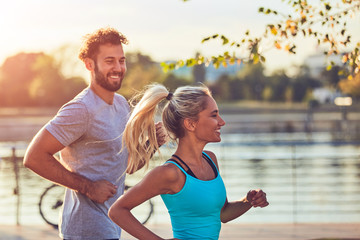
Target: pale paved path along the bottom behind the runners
{"type": "Point", "coordinates": [228, 232]}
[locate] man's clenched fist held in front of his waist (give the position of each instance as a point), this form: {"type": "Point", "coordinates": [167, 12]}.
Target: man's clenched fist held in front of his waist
{"type": "Point", "coordinates": [100, 191]}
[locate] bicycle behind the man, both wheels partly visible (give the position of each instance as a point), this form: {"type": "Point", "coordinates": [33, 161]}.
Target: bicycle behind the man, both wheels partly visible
{"type": "Point", "coordinates": [51, 201]}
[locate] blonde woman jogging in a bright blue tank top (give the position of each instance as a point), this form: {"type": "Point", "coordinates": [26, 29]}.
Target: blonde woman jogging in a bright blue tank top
{"type": "Point", "coordinates": [189, 182]}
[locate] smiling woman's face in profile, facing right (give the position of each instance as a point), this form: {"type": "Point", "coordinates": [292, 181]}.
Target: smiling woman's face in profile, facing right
{"type": "Point", "coordinates": [209, 123]}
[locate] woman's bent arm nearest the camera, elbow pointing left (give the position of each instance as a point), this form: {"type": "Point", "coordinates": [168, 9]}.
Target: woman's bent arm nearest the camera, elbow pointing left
{"type": "Point", "coordinates": [158, 181]}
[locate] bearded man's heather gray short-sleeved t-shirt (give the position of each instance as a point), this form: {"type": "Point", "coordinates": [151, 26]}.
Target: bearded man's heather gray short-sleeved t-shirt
{"type": "Point", "coordinates": [90, 129]}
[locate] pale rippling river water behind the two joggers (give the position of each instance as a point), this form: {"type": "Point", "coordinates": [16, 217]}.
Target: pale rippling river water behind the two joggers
{"type": "Point", "coordinates": [305, 181]}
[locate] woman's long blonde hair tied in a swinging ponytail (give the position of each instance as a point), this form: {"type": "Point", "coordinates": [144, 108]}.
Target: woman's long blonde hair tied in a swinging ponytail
{"type": "Point", "coordinates": [140, 135]}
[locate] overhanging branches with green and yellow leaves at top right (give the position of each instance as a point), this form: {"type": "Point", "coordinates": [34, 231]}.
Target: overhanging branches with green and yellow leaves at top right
{"type": "Point", "coordinates": [324, 21]}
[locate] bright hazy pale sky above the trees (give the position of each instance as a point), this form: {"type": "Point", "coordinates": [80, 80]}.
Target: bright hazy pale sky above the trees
{"type": "Point", "coordinates": [163, 29]}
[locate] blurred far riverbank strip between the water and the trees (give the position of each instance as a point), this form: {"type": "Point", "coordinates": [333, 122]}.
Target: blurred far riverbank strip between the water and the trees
{"type": "Point", "coordinates": [21, 124]}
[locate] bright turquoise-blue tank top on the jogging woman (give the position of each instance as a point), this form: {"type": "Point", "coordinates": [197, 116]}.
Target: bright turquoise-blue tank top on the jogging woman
{"type": "Point", "coordinates": [195, 209]}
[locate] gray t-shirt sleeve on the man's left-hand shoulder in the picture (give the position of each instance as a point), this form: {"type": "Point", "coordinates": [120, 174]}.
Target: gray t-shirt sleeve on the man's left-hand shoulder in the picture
{"type": "Point", "coordinates": [70, 123]}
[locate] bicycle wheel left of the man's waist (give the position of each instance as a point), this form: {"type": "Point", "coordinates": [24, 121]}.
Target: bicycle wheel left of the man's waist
{"type": "Point", "coordinates": [50, 203]}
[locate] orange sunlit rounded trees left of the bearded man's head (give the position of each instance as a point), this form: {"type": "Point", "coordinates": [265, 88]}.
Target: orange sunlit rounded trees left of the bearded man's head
{"type": "Point", "coordinates": [35, 79]}
